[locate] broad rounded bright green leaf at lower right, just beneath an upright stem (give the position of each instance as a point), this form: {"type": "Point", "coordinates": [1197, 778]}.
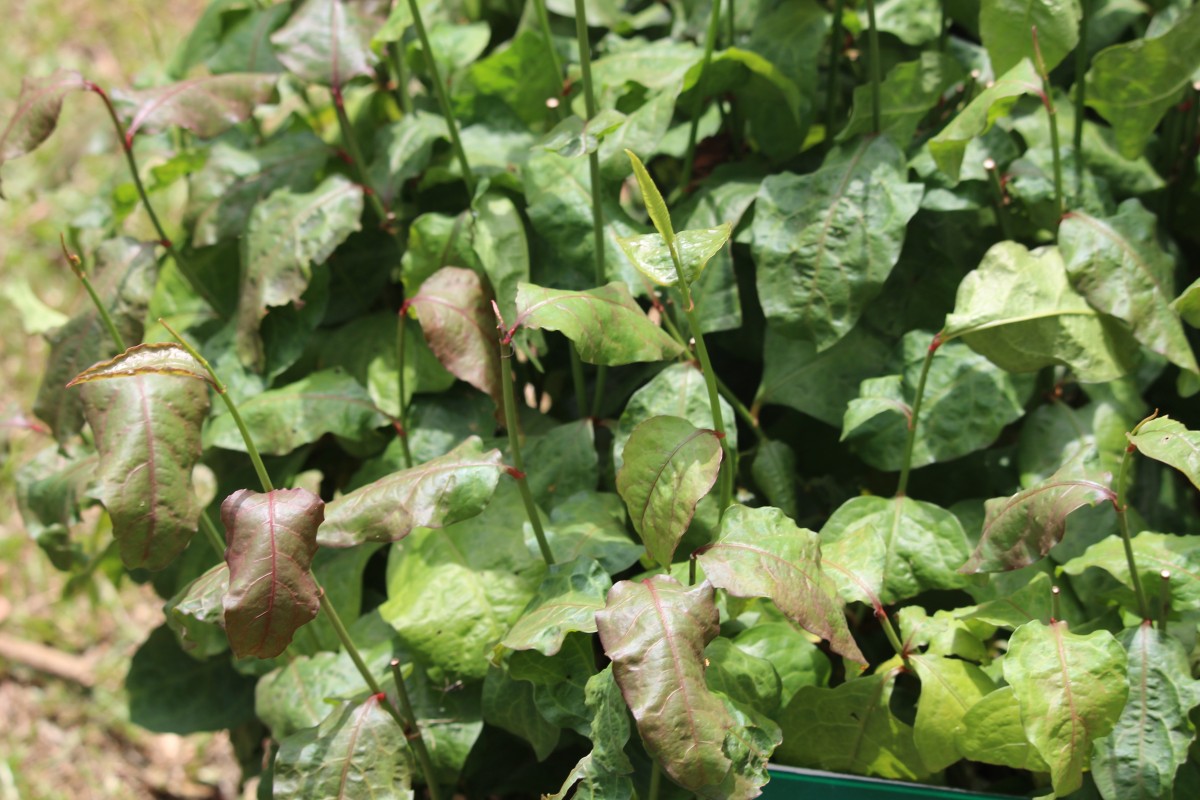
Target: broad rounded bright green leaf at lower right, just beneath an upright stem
{"type": "Point", "coordinates": [887, 550]}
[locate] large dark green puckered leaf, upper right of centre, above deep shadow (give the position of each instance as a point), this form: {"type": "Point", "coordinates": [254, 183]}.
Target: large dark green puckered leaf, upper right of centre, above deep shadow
{"type": "Point", "coordinates": [825, 243]}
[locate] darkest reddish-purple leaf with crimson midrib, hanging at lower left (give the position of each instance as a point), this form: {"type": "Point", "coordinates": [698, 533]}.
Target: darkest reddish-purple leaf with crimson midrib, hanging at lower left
{"type": "Point", "coordinates": [273, 539]}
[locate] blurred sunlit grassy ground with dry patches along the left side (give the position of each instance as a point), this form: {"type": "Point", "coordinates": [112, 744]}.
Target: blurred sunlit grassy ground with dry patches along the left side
{"type": "Point", "coordinates": [64, 731]}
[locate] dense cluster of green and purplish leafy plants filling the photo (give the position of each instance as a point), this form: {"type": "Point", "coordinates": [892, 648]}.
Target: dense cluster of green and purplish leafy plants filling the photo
{"type": "Point", "coordinates": [467, 461]}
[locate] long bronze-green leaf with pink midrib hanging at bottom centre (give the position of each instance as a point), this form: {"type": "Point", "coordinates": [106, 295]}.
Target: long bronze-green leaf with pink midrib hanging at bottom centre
{"type": "Point", "coordinates": [656, 633]}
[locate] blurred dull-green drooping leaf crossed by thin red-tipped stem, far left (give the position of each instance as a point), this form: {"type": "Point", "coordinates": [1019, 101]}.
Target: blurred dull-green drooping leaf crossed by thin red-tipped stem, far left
{"type": "Point", "coordinates": [125, 275]}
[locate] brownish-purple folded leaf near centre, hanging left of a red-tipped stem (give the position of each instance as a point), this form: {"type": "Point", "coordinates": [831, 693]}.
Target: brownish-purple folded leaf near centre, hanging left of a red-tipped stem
{"type": "Point", "coordinates": [458, 321]}
